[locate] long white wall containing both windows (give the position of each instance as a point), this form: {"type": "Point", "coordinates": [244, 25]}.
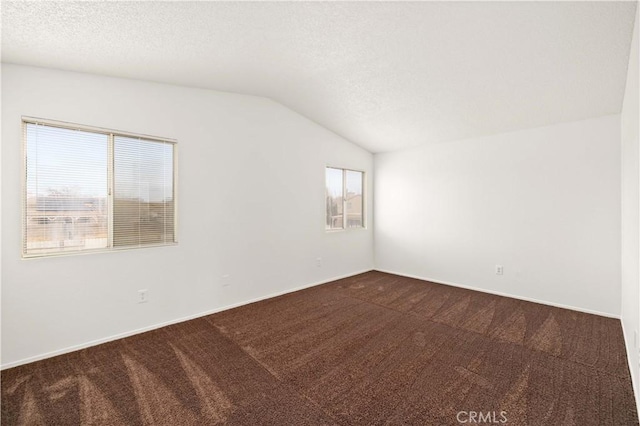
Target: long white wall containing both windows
{"type": "Point", "coordinates": [251, 205]}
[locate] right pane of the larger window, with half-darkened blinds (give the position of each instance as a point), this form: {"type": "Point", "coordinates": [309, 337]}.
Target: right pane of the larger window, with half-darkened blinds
{"type": "Point", "coordinates": [143, 208]}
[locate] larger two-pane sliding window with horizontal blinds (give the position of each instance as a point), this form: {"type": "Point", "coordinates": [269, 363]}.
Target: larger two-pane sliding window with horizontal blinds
{"type": "Point", "coordinates": [92, 189]}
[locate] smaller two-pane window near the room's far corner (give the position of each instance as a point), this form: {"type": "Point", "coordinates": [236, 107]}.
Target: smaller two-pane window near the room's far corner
{"type": "Point", "coordinates": [345, 201]}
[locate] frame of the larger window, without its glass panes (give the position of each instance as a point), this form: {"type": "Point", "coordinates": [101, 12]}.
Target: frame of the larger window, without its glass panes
{"type": "Point", "coordinates": [111, 134]}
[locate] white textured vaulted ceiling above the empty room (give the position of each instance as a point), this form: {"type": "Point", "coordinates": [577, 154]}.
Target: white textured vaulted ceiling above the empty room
{"type": "Point", "coordinates": [385, 75]}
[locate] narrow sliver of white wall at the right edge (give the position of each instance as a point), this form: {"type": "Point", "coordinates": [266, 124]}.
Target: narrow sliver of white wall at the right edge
{"type": "Point", "coordinates": [631, 211]}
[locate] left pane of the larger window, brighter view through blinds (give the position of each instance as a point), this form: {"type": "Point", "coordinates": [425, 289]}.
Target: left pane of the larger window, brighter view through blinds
{"type": "Point", "coordinates": [66, 190]}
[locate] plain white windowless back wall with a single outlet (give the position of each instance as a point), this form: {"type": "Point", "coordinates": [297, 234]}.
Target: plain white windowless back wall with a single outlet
{"type": "Point", "coordinates": [544, 203]}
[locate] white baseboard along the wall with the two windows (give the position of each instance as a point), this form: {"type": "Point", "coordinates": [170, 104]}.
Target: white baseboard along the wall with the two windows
{"type": "Point", "coordinates": [166, 323]}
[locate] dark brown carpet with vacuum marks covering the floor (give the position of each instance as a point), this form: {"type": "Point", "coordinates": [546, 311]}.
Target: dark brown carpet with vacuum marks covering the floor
{"type": "Point", "coordinates": [367, 350]}
